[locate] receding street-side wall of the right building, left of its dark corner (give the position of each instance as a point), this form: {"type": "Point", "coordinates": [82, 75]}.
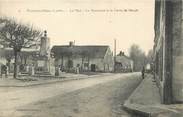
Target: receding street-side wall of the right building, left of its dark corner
{"type": "Point", "coordinates": [159, 44]}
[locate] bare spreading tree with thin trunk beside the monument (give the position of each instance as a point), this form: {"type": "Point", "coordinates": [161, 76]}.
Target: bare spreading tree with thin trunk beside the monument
{"type": "Point", "coordinates": [17, 36]}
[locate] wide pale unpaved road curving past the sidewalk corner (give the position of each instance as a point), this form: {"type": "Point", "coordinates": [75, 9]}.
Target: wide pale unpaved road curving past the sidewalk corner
{"type": "Point", "coordinates": [93, 97]}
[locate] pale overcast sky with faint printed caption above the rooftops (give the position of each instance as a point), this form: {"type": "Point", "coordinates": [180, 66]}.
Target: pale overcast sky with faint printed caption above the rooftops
{"type": "Point", "coordinates": [88, 22]}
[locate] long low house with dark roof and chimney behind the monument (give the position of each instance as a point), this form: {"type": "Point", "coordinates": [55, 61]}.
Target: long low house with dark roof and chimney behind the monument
{"type": "Point", "coordinates": [87, 58]}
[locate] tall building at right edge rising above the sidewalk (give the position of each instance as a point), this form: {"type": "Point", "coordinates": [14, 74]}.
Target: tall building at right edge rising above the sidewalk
{"type": "Point", "coordinates": [168, 49]}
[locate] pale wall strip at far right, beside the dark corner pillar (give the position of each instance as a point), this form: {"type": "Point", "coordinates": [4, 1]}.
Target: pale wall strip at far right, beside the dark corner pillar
{"type": "Point", "coordinates": [177, 35]}
